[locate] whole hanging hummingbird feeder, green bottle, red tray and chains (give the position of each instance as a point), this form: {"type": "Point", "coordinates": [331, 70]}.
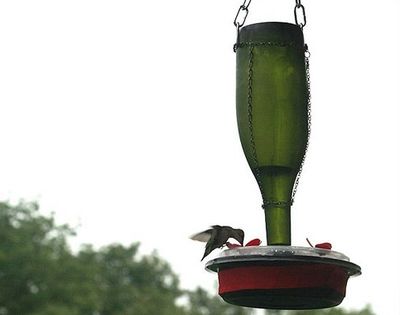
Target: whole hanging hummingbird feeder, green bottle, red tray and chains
{"type": "Point", "coordinates": [273, 115]}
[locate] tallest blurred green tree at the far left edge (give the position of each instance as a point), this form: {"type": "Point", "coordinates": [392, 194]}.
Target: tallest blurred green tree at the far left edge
{"type": "Point", "coordinates": [32, 252]}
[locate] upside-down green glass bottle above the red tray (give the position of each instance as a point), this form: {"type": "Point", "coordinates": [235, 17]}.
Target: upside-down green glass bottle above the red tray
{"type": "Point", "coordinates": [272, 113]}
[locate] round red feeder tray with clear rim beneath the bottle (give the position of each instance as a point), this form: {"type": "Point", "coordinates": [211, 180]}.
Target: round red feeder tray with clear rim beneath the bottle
{"type": "Point", "coordinates": [283, 277]}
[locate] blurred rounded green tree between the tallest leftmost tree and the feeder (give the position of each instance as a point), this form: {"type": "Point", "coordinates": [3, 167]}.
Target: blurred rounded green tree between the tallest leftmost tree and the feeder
{"type": "Point", "coordinates": [129, 285]}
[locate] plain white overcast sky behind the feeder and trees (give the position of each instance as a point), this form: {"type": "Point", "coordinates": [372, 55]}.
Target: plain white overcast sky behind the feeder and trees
{"type": "Point", "coordinates": [120, 117]}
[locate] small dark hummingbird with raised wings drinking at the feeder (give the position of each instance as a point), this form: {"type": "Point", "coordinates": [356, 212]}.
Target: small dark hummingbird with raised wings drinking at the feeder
{"type": "Point", "coordinates": [217, 237]}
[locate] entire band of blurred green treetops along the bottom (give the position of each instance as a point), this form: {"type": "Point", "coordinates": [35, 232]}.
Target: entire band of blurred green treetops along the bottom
{"type": "Point", "coordinates": [39, 275]}
